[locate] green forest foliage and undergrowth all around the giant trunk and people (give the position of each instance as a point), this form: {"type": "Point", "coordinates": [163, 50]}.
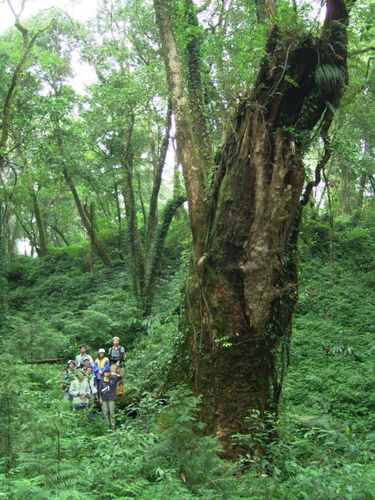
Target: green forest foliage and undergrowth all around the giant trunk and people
{"type": "Point", "coordinates": [95, 241]}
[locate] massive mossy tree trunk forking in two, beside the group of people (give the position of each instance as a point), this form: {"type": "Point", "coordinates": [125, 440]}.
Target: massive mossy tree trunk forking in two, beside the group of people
{"type": "Point", "coordinates": [245, 205]}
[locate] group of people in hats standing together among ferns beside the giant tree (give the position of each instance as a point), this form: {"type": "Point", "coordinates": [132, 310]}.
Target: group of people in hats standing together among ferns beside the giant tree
{"type": "Point", "coordinates": [85, 381]}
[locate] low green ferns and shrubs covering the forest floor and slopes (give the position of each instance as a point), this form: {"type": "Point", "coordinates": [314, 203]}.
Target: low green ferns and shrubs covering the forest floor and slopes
{"type": "Point", "coordinates": [322, 447]}
